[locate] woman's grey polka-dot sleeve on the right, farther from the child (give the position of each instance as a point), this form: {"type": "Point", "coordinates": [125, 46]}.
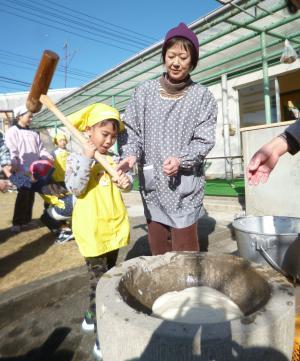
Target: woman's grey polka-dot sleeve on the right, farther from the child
{"type": "Point", "coordinates": [203, 138]}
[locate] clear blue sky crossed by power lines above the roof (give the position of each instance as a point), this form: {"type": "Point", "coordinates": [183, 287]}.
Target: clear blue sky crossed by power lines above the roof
{"type": "Point", "coordinates": [90, 36]}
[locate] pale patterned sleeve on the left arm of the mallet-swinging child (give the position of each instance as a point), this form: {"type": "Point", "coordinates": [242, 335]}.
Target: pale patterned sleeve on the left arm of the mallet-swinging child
{"type": "Point", "coordinates": [77, 173]}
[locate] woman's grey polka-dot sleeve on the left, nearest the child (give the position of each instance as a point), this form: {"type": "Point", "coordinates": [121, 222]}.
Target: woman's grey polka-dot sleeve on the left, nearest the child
{"type": "Point", "coordinates": [130, 141]}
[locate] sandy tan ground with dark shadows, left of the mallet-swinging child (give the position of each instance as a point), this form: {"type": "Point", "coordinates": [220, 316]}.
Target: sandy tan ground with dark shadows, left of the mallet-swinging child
{"type": "Point", "coordinates": [31, 254]}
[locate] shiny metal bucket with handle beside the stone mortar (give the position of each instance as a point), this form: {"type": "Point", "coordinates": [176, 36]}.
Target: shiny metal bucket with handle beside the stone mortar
{"type": "Point", "coordinates": [270, 240]}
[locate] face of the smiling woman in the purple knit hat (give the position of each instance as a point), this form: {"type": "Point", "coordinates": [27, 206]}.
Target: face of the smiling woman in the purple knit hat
{"type": "Point", "coordinates": [178, 63]}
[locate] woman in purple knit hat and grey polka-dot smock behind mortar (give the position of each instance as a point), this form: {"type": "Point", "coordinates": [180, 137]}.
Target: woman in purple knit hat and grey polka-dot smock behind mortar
{"type": "Point", "coordinates": [170, 125]}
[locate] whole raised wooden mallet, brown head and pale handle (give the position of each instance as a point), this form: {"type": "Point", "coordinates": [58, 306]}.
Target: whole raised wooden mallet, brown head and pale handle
{"type": "Point", "coordinates": [37, 97]}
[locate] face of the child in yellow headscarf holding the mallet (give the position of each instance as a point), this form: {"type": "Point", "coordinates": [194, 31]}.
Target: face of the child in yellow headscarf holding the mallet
{"type": "Point", "coordinates": [103, 136]}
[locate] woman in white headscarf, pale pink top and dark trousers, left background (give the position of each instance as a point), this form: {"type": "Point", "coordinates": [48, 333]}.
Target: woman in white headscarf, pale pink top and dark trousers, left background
{"type": "Point", "coordinates": [25, 147]}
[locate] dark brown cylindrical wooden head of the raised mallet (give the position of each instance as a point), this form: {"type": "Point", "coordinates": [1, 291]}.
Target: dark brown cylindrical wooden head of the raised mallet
{"type": "Point", "coordinates": [42, 80]}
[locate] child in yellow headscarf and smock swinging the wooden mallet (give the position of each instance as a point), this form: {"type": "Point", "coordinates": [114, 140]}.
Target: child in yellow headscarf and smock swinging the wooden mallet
{"type": "Point", "coordinates": [100, 221]}
